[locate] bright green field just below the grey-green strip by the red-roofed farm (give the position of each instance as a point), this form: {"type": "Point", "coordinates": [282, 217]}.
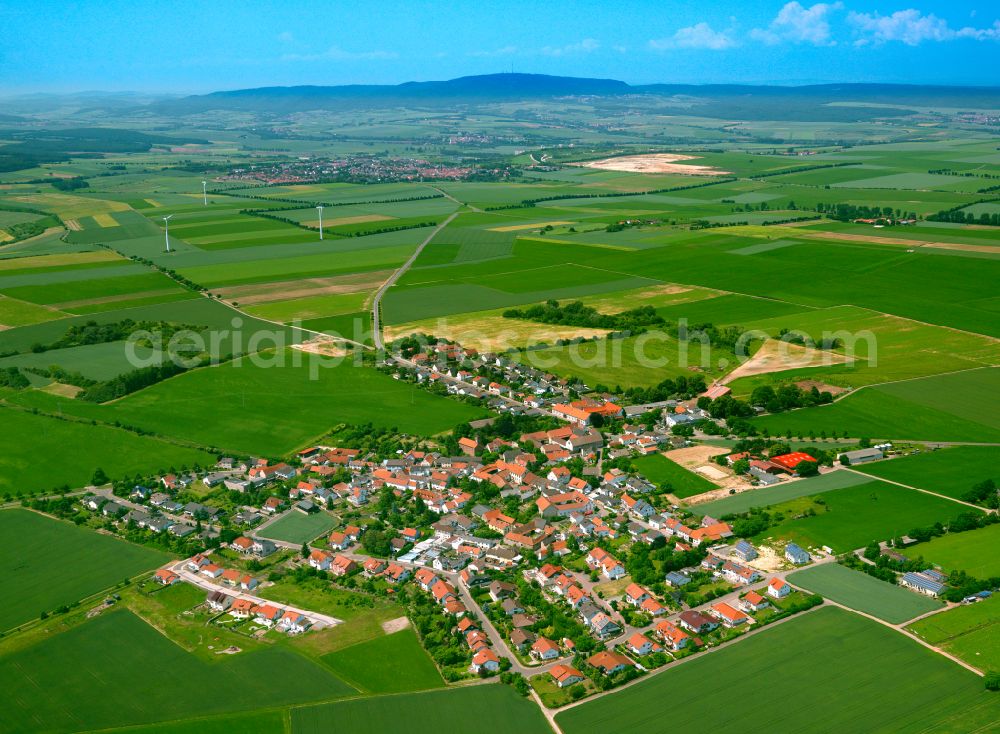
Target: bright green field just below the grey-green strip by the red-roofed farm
{"type": "Point", "coordinates": [853, 517]}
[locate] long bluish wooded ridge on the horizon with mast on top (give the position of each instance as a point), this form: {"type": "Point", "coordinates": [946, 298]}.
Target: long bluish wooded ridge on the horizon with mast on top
{"type": "Point", "coordinates": [732, 101]}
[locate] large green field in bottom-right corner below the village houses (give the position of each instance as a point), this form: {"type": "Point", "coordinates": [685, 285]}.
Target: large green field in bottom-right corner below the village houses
{"type": "Point", "coordinates": [825, 658]}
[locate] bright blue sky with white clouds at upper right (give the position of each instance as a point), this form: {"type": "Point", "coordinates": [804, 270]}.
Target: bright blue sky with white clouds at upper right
{"type": "Point", "coordinates": [178, 46]}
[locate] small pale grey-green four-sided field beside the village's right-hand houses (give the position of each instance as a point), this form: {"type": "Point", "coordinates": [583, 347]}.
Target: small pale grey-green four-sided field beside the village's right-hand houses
{"type": "Point", "coordinates": [865, 593]}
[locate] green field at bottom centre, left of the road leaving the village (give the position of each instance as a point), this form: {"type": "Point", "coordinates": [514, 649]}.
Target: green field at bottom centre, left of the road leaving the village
{"type": "Point", "coordinates": [494, 708]}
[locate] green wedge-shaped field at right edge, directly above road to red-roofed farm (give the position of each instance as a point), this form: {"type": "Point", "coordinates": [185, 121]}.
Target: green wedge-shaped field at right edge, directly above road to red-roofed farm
{"type": "Point", "coordinates": [943, 408]}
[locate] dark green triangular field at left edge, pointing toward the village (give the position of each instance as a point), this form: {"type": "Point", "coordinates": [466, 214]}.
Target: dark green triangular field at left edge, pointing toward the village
{"type": "Point", "coordinates": [53, 562]}
